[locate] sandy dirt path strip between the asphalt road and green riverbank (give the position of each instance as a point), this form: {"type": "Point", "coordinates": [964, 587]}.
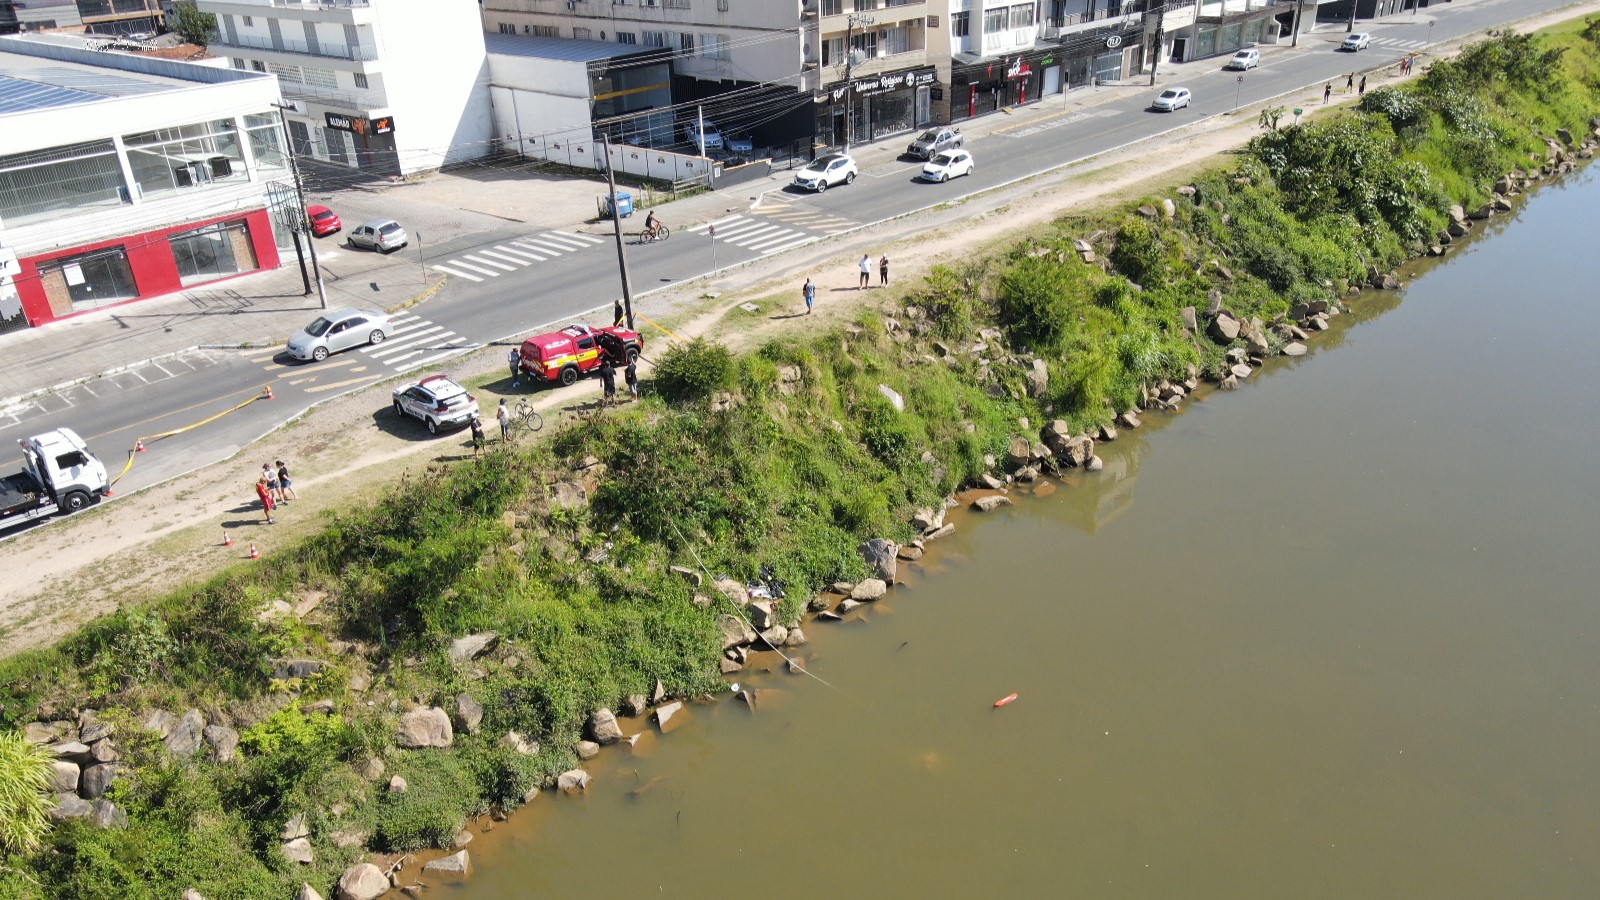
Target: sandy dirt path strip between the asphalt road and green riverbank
{"type": "Point", "coordinates": [145, 545]}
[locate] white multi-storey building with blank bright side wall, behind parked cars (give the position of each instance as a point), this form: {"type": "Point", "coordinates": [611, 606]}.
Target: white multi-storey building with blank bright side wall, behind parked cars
{"type": "Point", "coordinates": [388, 87]}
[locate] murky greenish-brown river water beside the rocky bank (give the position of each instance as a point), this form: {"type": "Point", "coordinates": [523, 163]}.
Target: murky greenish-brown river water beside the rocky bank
{"type": "Point", "coordinates": [1330, 637]}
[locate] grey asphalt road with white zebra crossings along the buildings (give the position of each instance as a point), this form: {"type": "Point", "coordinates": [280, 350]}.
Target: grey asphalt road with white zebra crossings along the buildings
{"type": "Point", "coordinates": [510, 281]}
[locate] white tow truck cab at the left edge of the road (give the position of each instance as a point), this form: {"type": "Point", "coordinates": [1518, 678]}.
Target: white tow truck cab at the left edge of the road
{"type": "Point", "coordinates": [60, 475]}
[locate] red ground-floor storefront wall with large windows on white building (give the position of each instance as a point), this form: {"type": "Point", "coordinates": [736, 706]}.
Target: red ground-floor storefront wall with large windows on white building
{"type": "Point", "coordinates": [111, 273]}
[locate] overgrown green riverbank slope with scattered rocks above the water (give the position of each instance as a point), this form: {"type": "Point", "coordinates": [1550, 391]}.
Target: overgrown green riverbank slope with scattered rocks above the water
{"type": "Point", "coordinates": [798, 448]}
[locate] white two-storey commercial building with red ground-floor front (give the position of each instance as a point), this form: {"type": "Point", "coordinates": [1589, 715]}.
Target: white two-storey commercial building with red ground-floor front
{"type": "Point", "coordinates": [127, 177]}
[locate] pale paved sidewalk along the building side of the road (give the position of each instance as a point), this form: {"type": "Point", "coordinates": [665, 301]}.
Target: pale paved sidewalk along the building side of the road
{"type": "Point", "coordinates": [266, 308]}
